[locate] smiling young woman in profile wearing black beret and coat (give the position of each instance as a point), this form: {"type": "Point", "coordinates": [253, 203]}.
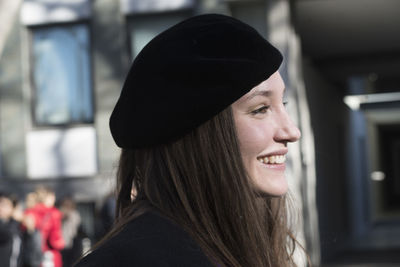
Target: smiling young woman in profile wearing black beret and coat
{"type": "Point", "coordinates": [204, 131]}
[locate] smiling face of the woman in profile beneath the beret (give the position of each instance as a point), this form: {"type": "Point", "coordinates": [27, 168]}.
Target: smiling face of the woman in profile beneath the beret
{"type": "Point", "coordinates": [264, 129]}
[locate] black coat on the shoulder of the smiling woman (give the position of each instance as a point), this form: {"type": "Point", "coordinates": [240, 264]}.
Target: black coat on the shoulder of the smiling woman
{"type": "Point", "coordinates": [147, 241]}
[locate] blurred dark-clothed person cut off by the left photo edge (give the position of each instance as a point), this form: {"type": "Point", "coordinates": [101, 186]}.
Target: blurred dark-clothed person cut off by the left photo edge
{"type": "Point", "coordinates": [10, 236]}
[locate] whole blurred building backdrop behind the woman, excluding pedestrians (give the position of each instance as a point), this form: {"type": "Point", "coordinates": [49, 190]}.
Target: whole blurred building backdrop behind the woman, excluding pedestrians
{"type": "Point", "coordinates": [62, 66]}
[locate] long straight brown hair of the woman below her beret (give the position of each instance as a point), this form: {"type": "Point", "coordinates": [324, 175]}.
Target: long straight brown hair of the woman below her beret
{"type": "Point", "coordinates": [199, 182]}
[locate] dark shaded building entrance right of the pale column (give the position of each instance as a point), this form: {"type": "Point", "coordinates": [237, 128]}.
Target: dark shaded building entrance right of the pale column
{"type": "Point", "coordinates": [351, 68]}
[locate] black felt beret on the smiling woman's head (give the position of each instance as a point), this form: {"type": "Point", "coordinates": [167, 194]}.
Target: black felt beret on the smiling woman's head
{"type": "Point", "coordinates": [188, 74]}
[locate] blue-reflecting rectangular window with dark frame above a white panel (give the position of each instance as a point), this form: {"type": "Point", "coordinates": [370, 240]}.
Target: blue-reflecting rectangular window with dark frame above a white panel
{"type": "Point", "coordinates": [61, 75]}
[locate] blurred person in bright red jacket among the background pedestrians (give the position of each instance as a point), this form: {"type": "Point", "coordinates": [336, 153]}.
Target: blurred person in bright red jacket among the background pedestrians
{"type": "Point", "coordinates": [48, 221]}
